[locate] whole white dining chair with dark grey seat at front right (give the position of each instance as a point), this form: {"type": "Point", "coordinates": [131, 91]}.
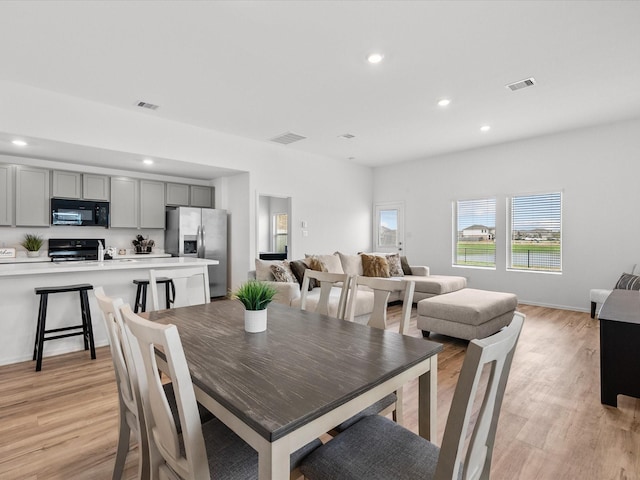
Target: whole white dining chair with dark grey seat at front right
{"type": "Point", "coordinates": [376, 448]}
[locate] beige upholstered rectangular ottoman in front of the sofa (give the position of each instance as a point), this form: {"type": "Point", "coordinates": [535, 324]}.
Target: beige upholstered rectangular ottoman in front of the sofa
{"type": "Point", "coordinates": [467, 313]}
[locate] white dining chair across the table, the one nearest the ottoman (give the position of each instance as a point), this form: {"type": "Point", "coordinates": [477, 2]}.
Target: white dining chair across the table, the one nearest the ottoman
{"type": "Point", "coordinates": [382, 289]}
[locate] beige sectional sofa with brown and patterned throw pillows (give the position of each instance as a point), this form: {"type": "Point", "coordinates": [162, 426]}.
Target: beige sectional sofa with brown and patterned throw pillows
{"type": "Point", "coordinates": [286, 277]}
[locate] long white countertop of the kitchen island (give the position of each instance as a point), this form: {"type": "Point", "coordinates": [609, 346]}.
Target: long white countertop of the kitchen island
{"type": "Point", "coordinates": [129, 262]}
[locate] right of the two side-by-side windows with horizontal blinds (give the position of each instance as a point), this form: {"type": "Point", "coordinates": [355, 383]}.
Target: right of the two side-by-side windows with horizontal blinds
{"type": "Point", "coordinates": [535, 232]}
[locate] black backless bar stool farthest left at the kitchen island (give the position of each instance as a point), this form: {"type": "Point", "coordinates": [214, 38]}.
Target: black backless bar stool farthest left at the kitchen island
{"type": "Point", "coordinates": [86, 329]}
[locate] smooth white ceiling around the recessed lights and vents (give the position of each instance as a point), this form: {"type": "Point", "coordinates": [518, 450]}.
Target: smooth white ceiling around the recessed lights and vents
{"type": "Point", "coordinates": [262, 68]}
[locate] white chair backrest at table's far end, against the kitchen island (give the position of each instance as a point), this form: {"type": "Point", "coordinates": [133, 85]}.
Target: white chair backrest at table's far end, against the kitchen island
{"type": "Point", "coordinates": [190, 286]}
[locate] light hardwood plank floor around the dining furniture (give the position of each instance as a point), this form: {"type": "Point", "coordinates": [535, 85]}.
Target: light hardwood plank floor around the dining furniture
{"type": "Point", "coordinates": [61, 423]}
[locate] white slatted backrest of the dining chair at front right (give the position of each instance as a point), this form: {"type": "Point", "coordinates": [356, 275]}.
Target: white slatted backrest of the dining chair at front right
{"type": "Point", "coordinates": [495, 352]}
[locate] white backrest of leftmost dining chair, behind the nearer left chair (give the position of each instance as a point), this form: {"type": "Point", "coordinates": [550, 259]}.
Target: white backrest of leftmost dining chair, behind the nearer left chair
{"type": "Point", "coordinates": [128, 382]}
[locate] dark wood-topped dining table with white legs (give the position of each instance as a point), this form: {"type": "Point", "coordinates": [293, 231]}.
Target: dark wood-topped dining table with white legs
{"type": "Point", "coordinates": [284, 387]}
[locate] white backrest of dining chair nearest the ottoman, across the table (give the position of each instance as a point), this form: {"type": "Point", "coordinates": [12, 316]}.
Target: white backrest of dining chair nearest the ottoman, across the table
{"type": "Point", "coordinates": [382, 289]}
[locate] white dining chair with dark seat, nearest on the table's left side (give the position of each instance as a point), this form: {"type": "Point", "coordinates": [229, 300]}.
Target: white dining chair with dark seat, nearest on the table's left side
{"type": "Point", "coordinates": [198, 451]}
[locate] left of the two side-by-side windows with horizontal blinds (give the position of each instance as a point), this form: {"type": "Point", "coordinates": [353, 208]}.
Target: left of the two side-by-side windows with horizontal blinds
{"type": "Point", "coordinates": [475, 233]}
